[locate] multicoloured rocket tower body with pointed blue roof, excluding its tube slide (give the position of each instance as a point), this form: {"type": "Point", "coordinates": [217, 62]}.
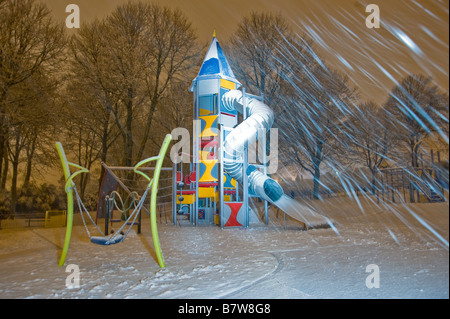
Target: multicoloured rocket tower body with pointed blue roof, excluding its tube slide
{"type": "Point", "coordinates": [207, 194]}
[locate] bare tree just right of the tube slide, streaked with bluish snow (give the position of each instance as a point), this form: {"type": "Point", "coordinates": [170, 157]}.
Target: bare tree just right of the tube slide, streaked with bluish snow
{"type": "Point", "coordinates": [316, 102]}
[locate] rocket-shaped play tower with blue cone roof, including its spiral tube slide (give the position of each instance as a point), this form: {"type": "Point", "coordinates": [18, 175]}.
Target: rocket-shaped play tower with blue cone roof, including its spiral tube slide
{"type": "Point", "coordinates": [226, 122]}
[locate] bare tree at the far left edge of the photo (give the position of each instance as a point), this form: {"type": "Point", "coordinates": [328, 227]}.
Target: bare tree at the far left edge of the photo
{"type": "Point", "coordinates": [30, 43]}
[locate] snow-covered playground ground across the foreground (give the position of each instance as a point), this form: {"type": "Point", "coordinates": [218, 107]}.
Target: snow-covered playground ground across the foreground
{"type": "Point", "coordinates": [408, 243]}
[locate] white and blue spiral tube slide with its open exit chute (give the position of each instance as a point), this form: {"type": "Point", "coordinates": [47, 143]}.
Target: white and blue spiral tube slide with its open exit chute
{"type": "Point", "coordinates": [259, 121]}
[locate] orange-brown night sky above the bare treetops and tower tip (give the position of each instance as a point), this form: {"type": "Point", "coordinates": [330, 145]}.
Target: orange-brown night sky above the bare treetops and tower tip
{"type": "Point", "coordinates": [413, 37]}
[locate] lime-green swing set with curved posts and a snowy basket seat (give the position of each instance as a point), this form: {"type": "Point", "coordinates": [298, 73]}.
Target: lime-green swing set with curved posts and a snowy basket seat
{"type": "Point", "coordinates": [119, 235]}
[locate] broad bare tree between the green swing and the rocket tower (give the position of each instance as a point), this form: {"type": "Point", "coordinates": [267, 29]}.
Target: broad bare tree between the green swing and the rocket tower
{"type": "Point", "coordinates": [129, 60]}
